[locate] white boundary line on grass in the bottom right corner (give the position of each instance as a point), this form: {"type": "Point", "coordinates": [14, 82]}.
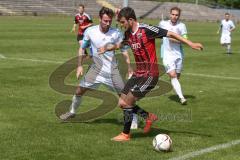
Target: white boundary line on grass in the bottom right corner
{"type": "Point", "coordinates": [207, 150]}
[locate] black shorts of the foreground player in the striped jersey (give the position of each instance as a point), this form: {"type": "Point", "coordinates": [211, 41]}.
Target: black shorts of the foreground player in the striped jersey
{"type": "Point", "coordinates": [140, 86]}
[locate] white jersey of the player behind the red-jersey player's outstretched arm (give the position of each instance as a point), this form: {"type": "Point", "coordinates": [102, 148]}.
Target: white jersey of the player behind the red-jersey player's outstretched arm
{"type": "Point", "coordinates": [170, 49]}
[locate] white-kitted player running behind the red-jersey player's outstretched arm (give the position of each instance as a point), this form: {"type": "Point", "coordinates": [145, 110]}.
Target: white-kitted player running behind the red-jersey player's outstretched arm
{"type": "Point", "coordinates": [172, 52]}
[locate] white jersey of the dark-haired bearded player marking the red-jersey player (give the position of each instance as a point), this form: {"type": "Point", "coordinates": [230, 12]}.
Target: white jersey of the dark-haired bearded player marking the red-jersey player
{"type": "Point", "coordinates": [104, 63]}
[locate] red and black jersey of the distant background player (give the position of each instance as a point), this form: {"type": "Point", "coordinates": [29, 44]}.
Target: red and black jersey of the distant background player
{"type": "Point", "coordinates": [82, 20]}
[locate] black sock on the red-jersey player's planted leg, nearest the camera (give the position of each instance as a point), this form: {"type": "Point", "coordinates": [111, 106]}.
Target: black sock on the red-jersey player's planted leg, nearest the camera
{"type": "Point", "coordinates": [128, 116]}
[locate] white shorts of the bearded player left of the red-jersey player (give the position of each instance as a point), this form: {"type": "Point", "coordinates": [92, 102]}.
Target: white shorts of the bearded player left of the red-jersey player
{"type": "Point", "coordinates": [93, 79]}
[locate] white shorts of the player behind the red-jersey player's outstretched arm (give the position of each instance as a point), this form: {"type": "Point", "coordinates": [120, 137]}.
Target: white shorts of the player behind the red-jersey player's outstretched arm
{"type": "Point", "coordinates": [173, 64]}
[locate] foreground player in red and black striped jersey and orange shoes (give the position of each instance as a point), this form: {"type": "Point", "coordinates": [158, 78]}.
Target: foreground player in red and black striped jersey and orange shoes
{"type": "Point", "coordinates": [141, 39]}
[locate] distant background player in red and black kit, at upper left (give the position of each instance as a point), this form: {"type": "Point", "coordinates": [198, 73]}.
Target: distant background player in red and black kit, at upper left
{"type": "Point", "coordinates": [82, 20]}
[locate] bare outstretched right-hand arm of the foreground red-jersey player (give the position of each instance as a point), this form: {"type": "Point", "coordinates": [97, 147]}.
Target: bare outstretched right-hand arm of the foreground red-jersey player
{"type": "Point", "coordinates": [197, 46]}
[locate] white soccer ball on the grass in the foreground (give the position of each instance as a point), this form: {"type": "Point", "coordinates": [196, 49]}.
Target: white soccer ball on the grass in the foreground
{"type": "Point", "coordinates": [162, 142]}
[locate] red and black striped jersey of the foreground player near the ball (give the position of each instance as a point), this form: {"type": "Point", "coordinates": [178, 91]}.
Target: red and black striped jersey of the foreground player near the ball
{"type": "Point", "coordinates": [142, 43]}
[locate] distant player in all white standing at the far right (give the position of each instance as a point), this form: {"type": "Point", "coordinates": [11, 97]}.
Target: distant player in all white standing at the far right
{"type": "Point", "coordinates": [227, 26]}
